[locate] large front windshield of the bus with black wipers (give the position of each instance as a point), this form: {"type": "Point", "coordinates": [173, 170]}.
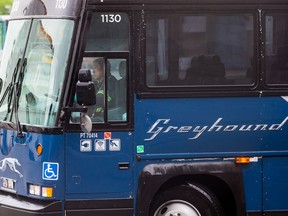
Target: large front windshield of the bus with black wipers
{"type": "Point", "coordinates": [33, 66]}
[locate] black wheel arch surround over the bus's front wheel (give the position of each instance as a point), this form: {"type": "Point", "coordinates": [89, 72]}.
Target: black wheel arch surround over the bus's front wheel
{"type": "Point", "coordinates": [154, 176]}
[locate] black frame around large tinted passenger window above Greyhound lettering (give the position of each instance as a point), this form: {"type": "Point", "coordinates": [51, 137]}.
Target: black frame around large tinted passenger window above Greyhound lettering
{"type": "Point", "coordinates": [258, 89]}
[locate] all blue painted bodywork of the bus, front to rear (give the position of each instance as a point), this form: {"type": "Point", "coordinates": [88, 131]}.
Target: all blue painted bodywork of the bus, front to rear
{"type": "Point", "coordinates": [103, 165]}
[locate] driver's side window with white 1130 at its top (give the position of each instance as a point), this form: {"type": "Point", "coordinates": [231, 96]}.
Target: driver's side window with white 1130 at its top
{"type": "Point", "coordinates": [106, 56]}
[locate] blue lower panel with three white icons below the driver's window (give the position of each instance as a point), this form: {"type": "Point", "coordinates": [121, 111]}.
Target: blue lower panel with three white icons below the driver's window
{"type": "Point", "coordinates": [99, 165]}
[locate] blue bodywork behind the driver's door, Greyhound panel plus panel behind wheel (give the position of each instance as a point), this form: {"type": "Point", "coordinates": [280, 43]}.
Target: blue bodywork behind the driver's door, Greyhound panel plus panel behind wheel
{"type": "Point", "coordinates": [221, 128]}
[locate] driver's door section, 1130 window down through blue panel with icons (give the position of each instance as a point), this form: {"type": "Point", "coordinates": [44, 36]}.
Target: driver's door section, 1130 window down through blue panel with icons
{"type": "Point", "coordinates": [99, 163]}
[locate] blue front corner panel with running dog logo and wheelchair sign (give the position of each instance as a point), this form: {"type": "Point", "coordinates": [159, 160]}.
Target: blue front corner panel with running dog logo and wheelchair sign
{"type": "Point", "coordinates": [20, 162]}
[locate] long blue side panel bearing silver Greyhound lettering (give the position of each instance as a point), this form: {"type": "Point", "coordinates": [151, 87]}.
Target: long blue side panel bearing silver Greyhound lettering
{"type": "Point", "coordinates": [216, 126]}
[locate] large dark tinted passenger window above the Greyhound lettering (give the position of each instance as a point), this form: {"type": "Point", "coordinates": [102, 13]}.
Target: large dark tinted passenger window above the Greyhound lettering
{"type": "Point", "coordinates": [199, 50]}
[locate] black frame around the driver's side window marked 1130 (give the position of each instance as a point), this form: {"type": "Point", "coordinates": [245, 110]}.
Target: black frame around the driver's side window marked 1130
{"type": "Point", "coordinates": [106, 125]}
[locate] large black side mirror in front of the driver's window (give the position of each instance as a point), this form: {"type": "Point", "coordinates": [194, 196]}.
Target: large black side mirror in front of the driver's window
{"type": "Point", "coordinates": [85, 89]}
